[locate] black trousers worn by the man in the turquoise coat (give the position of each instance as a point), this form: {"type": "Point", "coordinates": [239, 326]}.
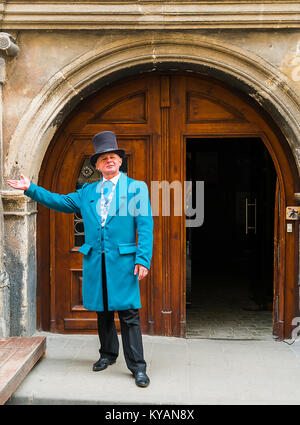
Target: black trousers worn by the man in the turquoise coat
{"type": "Point", "coordinates": [130, 332]}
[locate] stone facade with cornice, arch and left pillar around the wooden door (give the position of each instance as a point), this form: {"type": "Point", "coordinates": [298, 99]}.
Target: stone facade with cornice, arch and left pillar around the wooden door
{"type": "Point", "coordinates": [67, 56]}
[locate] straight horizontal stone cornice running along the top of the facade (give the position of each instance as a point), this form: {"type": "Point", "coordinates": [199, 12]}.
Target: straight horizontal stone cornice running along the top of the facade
{"type": "Point", "coordinates": [148, 14]}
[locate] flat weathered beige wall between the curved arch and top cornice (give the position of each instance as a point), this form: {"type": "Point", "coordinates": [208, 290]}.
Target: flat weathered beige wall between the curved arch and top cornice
{"type": "Point", "coordinates": [43, 54]}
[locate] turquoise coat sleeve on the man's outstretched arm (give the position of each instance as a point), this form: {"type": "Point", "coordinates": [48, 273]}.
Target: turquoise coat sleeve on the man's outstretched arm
{"type": "Point", "coordinates": [69, 203]}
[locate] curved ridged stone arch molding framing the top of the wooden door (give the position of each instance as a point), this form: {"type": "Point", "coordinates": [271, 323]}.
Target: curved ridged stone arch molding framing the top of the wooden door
{"type": "Point", "coordinates": [265, 83]}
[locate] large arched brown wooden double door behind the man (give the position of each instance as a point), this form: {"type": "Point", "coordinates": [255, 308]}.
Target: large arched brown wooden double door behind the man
{"type": "Point", "coordinates": [152, 116]}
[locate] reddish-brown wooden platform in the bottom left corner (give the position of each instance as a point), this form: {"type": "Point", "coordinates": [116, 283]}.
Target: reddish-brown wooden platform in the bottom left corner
{"type": "Point", "coordinates": [18, 355]}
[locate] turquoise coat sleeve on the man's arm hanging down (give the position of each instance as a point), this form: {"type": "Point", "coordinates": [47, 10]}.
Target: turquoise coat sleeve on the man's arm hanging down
{"type": "Point", "coordinates": [144, 225]}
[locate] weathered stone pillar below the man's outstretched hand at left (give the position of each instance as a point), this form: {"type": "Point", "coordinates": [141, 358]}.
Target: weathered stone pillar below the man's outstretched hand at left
{"type": "Point", "coordinates": [20, 261]}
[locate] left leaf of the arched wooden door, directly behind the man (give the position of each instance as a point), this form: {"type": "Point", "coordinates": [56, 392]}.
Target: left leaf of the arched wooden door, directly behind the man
{"type": "Point", "coordinates": [130, 110]}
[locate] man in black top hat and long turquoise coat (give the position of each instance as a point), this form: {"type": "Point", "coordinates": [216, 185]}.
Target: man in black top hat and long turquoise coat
{"type": "Point", "coordinates": [114, 210]}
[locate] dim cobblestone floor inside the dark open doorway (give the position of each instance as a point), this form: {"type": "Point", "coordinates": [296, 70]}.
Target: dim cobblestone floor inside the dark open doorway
{"type": "Point", "coordinates": [219, 310]}
